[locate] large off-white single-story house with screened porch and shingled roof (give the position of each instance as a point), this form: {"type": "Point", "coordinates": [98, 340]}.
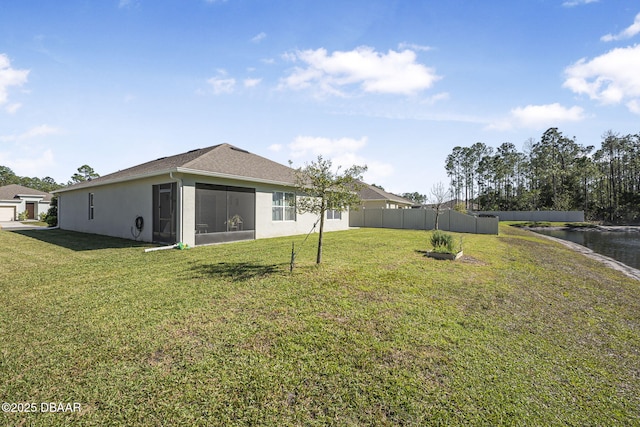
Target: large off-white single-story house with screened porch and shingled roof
{"type": "Point", "coordinates": [210, 195]}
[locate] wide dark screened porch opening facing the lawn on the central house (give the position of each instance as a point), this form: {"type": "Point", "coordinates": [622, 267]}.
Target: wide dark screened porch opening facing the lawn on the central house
{"type": "Point", "coordinates": [224, 213]}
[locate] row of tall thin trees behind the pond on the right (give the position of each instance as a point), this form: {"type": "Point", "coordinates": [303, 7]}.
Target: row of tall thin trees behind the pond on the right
{"type": "Point", "coordinates": [555, 172]}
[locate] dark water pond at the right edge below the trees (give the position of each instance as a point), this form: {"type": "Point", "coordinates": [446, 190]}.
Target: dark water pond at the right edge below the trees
{"type": "Point", "coordinates": [623, 246]}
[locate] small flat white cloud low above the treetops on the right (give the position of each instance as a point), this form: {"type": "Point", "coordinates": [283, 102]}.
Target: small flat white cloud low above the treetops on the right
{"type": "Point", "coordinates": [539, 116]}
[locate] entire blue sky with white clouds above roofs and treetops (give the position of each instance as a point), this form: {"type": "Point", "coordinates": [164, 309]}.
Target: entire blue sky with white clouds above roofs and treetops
{"type": "Point", "coordinates": [394, 85]}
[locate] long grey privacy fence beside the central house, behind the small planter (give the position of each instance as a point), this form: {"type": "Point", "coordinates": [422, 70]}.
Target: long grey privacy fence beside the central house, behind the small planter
{"type": "Point", "coordinates": [423, 219]}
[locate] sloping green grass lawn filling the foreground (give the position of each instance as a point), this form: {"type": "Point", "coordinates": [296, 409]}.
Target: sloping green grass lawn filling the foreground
{"type": "Point", "coordinates": [520, 331]}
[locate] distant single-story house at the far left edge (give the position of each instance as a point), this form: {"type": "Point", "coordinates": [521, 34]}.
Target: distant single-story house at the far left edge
{"type": "Point", "coordinates": [16, 199]}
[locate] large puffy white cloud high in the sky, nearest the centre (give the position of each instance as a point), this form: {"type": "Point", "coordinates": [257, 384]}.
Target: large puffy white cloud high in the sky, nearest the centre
{"type": "Point", "coordinates": [373, 72]}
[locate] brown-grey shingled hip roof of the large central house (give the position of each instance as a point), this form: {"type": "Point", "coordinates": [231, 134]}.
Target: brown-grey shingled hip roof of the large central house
{"type": "Point", "coordinates": [223, 160]}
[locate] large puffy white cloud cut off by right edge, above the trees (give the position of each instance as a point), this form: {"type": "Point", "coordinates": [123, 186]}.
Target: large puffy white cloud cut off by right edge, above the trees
{"type": "Point", "coordinates": [610, 78]}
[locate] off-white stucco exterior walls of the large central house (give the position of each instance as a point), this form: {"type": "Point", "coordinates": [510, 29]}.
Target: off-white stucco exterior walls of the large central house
{"type": "Point", "coordinates": [116, 207]}
